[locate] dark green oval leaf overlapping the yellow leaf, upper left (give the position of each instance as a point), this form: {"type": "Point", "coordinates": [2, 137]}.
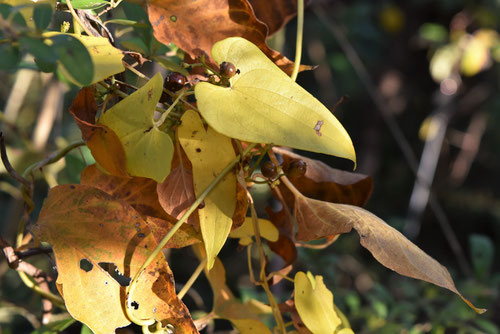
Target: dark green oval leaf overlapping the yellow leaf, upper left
{"type": "Point", "coordinates": [74, 57]}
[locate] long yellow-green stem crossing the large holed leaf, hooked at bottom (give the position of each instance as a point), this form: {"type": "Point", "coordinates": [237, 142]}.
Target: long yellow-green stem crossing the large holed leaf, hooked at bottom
{"type": "Point", "coordinates": [130, 289]}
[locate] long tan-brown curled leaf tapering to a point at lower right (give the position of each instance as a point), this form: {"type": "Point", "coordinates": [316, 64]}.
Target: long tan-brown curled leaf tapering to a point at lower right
{"type": "Point", "coordinates": [318, 219]}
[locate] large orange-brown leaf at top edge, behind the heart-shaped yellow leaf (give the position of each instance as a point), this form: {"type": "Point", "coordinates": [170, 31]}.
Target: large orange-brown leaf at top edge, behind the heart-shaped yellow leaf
{"type": "Point", "coordinates": [194, 26]}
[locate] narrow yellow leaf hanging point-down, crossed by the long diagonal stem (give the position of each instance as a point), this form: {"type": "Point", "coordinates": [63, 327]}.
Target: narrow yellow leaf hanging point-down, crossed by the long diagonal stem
{"type": "Point", "coordinates": [209, 153]}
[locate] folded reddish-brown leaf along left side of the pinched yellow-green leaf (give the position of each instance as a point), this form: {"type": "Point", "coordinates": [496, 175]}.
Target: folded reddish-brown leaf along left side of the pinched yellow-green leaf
{"type": "Point", "coordinates": [104, 144]}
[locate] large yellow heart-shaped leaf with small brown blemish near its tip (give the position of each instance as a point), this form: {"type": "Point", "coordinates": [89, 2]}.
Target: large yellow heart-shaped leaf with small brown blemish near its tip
{"type": "Point", "coordinates": [264, 105]}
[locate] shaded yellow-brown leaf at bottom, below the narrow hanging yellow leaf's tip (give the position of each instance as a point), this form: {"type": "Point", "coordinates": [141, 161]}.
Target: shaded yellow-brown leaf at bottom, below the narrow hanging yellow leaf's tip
{"type": "Point", "coordinates": [225, 304]}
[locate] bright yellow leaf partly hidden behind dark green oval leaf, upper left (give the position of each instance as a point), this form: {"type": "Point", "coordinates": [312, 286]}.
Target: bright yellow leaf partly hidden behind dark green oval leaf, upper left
{"type": "Point", "coordinates": [107, 59]}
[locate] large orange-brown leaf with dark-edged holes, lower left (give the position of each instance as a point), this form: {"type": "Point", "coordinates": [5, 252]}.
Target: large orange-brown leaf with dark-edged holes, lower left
{"type": "Point", "coordinates": [84, 223]}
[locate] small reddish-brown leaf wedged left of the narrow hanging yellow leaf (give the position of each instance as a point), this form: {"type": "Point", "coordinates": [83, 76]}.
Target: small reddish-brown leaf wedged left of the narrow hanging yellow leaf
{"type": "Point", "coordinates": [176, 192]}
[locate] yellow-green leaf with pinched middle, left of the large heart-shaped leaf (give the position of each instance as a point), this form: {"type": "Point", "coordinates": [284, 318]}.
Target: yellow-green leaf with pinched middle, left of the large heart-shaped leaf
{"type": "Point", "coordinates": [148, 150]}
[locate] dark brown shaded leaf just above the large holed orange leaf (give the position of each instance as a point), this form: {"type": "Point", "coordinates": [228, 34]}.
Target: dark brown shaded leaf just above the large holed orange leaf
{"type": "Point", "coordinates": [140, 193]}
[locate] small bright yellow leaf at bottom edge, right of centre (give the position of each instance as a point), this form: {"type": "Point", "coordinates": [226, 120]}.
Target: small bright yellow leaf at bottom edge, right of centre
{"type": "Point", "coordinates": [314, 302]}
